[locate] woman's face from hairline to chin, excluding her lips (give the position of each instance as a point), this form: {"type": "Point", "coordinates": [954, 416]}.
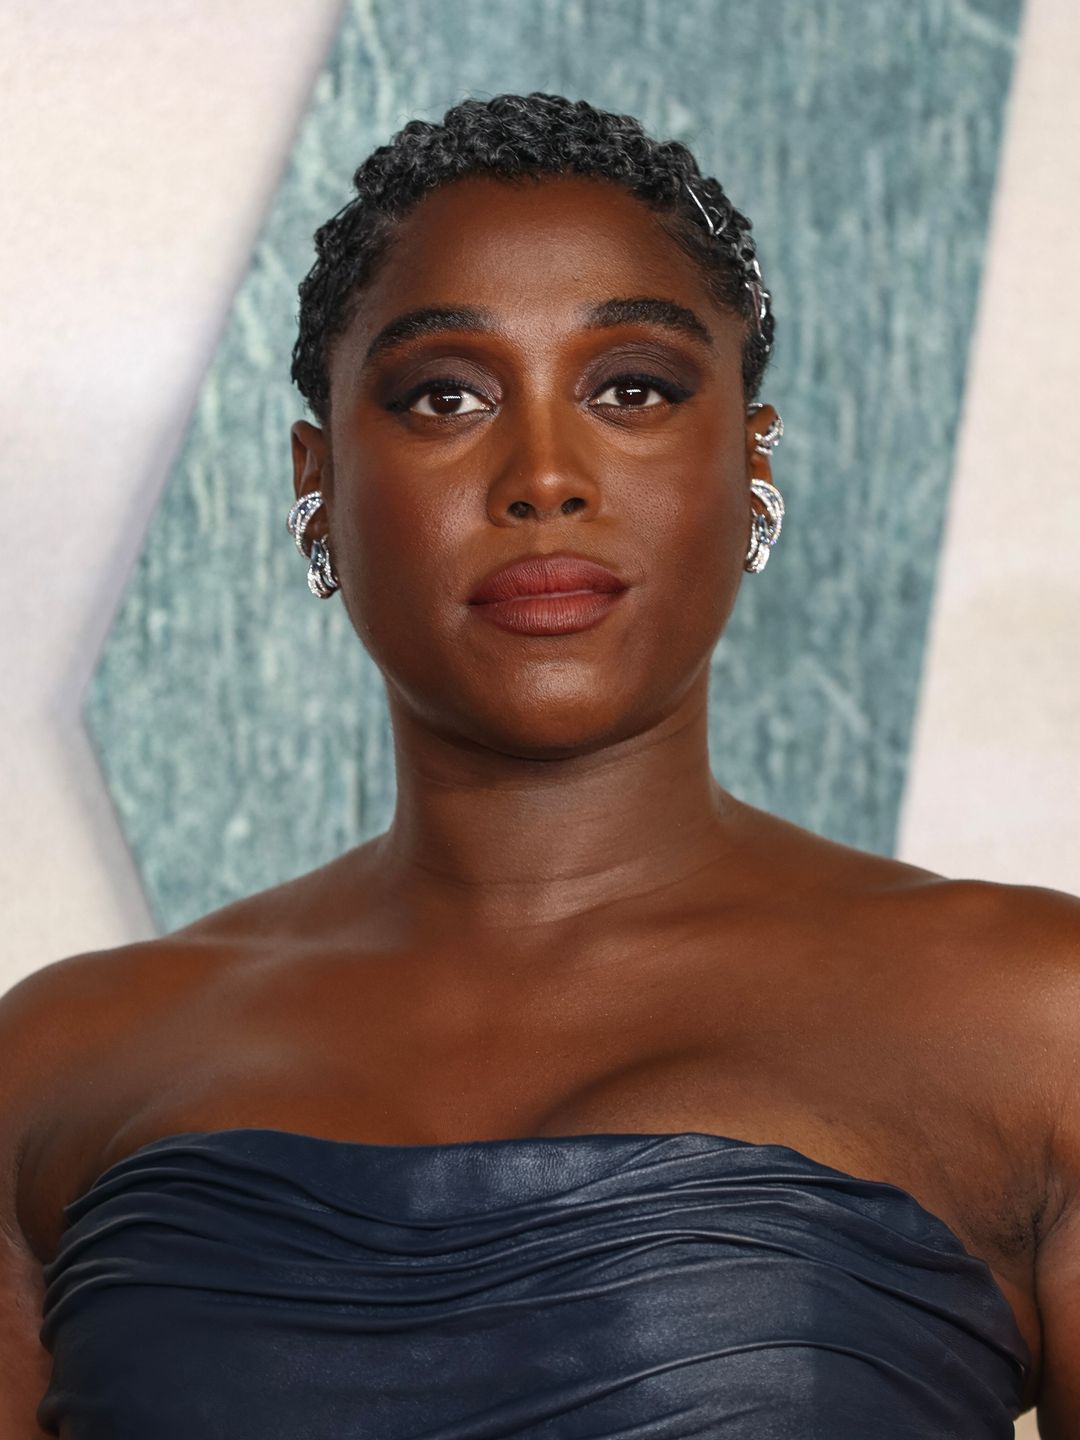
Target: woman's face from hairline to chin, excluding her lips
{"type": "Point", "coordinates": [542, 417]}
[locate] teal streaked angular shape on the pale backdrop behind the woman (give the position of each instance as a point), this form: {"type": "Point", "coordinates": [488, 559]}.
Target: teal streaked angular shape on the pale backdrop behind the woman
{"type": "Point", "coordinates": [241, 726]}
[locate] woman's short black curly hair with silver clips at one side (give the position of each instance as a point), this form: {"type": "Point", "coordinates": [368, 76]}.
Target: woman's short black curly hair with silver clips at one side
{"type": "Point", "coordinates": [510, 138]}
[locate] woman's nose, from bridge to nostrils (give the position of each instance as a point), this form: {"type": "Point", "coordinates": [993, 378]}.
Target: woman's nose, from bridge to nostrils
{"type": "Point", "coordinates": [545, 472]}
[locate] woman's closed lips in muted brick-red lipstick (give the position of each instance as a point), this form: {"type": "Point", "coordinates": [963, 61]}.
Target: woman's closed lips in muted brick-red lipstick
{"type": "Point", "coordinates": [548, 595]}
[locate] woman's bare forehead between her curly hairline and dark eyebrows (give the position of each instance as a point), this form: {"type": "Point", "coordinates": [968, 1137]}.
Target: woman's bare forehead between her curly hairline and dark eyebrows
{"type": "Point", "coordinates": [534, 250]}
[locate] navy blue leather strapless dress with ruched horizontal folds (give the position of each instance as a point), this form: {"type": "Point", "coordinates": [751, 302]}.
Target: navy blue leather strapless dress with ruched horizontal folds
{"type": "Point", "coordinates": [264, 1285]}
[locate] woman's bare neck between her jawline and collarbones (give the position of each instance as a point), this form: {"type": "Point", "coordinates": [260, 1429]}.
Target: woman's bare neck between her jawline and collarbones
{"type": "Point", "coordinates": [485, 840]}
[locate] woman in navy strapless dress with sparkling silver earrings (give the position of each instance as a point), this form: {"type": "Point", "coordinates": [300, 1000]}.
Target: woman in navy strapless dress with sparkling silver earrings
{"type": "Point", "coordinates": [587, 1101]}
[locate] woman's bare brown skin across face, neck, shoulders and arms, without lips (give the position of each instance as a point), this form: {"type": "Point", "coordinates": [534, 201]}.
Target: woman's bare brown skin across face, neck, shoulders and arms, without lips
{"type": "Point", "coordinates": [571, 927]}
